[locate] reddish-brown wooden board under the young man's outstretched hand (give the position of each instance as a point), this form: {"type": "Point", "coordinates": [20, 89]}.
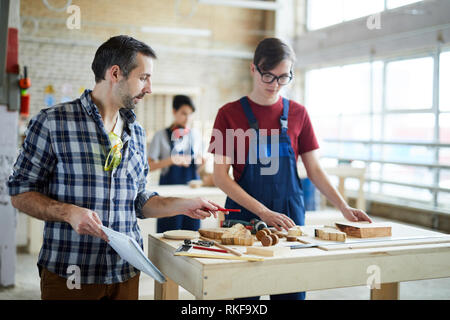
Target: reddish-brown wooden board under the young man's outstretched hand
{"type": "Point", "coordinates": [365, 229]}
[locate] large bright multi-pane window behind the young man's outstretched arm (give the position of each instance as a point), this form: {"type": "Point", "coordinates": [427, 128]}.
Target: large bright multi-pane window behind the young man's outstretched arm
{"type": "Point", "coordinates": [384, 116]}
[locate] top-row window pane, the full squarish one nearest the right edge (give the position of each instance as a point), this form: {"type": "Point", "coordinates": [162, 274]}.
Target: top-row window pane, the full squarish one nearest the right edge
{"type": "Point", "coordinates": [409, 84]}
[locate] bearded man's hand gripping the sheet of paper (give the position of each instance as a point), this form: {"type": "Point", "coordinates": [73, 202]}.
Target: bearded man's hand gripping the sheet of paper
{"type": "Point", "coordinates": [87, 222]}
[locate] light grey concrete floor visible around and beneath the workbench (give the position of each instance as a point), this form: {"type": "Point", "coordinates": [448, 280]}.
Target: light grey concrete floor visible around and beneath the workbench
{"type": "Point", "coordinates": [27, 287]}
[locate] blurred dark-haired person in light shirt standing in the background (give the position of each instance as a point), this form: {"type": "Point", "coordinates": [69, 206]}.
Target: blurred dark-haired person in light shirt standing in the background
{"type": "Point", "coordinates": [176, 151]}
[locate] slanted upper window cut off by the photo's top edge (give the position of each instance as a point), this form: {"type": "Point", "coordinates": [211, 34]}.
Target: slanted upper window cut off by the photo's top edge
{"type": "Point", "coordinates": [324, 13]}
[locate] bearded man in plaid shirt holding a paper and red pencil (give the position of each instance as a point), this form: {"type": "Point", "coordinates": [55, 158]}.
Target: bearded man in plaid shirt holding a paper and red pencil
{"type": "Point", "coordinates": [61, 177]}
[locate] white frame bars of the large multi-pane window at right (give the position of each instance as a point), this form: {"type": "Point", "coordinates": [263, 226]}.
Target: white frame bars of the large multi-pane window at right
{"type": "Point", "coordinates": [435, 166]}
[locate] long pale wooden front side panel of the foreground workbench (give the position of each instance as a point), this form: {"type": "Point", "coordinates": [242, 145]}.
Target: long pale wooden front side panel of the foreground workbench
{"type": "Point", "coordinates": [395, 265]}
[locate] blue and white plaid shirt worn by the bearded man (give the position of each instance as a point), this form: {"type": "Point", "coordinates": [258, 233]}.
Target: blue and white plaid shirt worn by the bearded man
{"type": "Point", "coordinates": [62, 157]}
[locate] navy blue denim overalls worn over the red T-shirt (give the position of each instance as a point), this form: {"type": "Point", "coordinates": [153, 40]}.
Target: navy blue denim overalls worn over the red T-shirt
{"type": "Point", "coordinates": [281, 192]}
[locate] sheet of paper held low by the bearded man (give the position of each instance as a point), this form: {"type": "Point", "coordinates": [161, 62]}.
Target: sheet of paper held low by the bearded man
{"type": "Point", "coordinates": [129, 250]}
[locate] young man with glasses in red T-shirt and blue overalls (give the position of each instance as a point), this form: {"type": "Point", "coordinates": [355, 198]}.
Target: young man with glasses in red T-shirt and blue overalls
{"type": "Point", "coordinates": [276, 197]}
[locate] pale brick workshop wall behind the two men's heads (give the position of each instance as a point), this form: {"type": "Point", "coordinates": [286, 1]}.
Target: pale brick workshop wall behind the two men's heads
{"type": "Point", "coordinates": [59, 58]}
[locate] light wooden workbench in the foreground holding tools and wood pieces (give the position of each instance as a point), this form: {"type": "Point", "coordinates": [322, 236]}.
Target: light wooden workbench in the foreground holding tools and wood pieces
{"type": "Point", "coordinates": [305, 269]}
